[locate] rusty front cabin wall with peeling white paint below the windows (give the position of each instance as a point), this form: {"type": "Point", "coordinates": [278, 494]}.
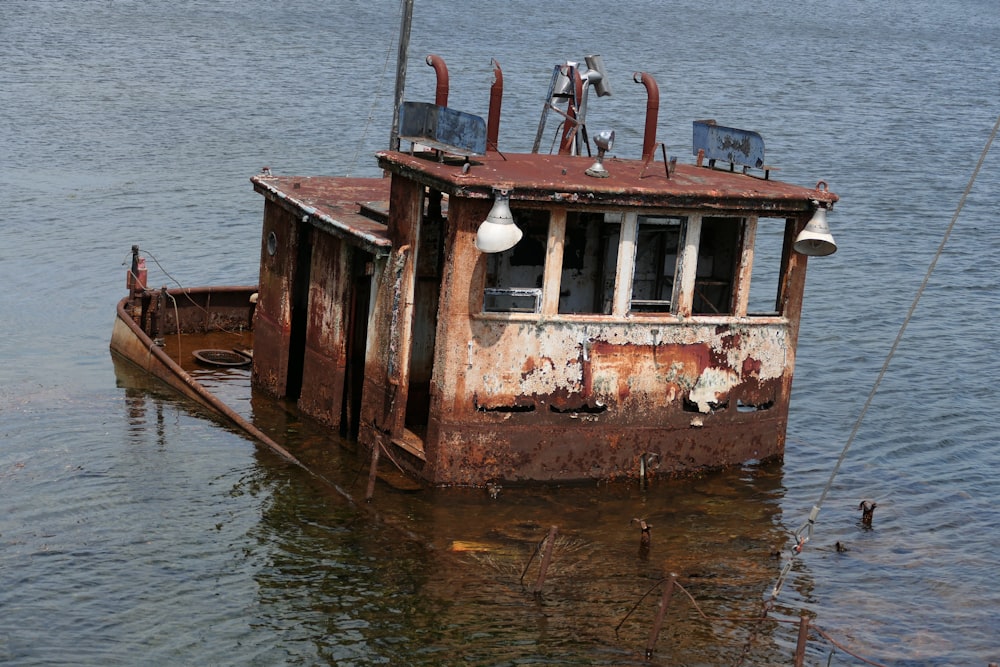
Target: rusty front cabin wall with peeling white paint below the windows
{"type": "Point", "coordinates": [519, 397]}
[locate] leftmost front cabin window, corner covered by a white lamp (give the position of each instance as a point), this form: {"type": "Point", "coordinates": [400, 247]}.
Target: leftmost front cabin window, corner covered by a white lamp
{"type": "Point", "coordinates": [514, 277]}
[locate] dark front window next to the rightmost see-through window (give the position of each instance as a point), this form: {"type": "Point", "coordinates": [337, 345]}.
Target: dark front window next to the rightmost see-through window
{"type": "Point", "coordinates": [718, 252]}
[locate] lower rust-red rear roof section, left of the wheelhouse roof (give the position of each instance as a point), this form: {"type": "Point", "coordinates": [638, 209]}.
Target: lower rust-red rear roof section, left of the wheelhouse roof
{"type": "Point", "coordinates": [355, 209]}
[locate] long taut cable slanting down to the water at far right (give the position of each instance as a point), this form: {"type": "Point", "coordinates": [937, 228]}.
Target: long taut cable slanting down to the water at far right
{"type": "Point", "coordinates": [804, 533]}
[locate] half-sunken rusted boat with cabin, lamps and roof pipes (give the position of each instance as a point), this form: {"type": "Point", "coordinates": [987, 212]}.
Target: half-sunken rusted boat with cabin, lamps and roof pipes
{"type": "Point", "coordinates": [483, 316]}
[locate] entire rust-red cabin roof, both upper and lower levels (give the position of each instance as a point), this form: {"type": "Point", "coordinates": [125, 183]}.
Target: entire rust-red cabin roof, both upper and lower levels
{"type": "Point", "coordinates": [356, 209]}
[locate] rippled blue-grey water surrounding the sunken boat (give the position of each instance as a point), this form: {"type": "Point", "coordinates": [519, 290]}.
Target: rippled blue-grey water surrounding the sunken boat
{"type": "Point", "coordinates": [135, 530]}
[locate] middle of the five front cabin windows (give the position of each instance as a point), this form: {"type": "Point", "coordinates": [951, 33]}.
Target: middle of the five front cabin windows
{"type": "Point", "coordinates": [656, 249]}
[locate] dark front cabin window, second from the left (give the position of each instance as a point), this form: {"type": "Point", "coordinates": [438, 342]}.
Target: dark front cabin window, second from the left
{"type": "Point", "coordinates": [590, 261]}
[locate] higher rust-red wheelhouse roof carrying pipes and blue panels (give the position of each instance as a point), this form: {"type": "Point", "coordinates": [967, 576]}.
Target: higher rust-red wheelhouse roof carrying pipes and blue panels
{"type": "Point", "coordinates": [549, 178]}
